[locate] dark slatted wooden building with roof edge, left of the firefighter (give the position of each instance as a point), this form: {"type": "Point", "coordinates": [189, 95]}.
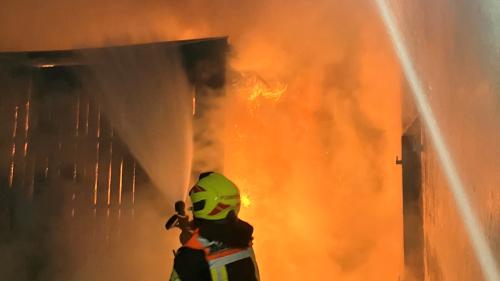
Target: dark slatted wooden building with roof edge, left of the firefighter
{"type": "Point", "coordinates": [65, 166]}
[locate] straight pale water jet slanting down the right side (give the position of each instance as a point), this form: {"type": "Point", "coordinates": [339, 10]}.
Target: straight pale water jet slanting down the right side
{"type": "Point", "coordinates": [472, 226]}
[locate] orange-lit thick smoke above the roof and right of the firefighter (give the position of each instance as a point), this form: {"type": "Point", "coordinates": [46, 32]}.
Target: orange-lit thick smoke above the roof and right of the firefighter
{"type": "Point", "coordinates": [317, 162]}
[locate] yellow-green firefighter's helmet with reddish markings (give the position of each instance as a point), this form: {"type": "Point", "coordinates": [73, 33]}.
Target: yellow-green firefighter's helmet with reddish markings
{"type": "Point", "coordinates": [214, 197]}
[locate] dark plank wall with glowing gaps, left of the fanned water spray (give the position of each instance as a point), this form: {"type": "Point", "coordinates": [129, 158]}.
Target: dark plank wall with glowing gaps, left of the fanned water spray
{"type": "Point", "coordinates": [56, 146]}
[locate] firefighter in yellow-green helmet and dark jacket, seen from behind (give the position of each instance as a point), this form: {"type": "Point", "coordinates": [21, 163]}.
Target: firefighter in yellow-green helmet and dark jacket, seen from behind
{"type": "Point", "coordinates": [220, 248]}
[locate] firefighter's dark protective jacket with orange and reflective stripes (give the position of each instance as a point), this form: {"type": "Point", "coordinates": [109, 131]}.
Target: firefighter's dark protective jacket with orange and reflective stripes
{"type": "Point", "coordinates": [217, 252]}
